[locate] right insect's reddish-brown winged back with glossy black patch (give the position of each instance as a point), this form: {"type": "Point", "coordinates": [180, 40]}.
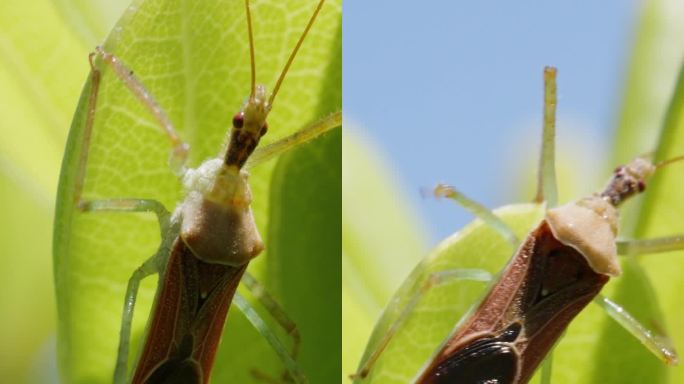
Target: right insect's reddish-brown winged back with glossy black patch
{"type": "Point", "coordinates": [543, 288]}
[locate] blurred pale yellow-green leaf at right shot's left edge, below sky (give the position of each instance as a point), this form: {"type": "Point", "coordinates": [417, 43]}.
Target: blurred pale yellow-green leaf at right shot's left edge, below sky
{"type": "Point", "coordinates": [374, 263]}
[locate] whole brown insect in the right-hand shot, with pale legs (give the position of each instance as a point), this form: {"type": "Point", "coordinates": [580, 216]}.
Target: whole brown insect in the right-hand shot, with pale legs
{"type": "Point", "coordinates": [558, 269]}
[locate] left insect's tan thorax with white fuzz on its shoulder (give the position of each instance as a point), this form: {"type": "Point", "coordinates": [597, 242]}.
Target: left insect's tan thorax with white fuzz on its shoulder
{"type": "Point", "coordinates": [217, 221]}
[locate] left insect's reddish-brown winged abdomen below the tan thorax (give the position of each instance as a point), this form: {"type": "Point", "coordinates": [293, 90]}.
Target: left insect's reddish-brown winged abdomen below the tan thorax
{"type": "Point", "coordinates": [187, 319]}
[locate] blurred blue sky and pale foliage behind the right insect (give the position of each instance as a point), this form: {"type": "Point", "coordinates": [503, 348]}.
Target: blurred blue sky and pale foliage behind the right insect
{"type": "Point", "coordinates": [451, 92]}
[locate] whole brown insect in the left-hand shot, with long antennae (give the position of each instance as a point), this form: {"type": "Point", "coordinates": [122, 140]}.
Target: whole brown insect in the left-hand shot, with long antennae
{"type": "Point", "coordinates": [207, 242]}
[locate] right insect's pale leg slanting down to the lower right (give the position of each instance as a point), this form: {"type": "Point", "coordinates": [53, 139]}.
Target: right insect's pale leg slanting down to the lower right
{"type": "Point", "coordinates": [658, 345]}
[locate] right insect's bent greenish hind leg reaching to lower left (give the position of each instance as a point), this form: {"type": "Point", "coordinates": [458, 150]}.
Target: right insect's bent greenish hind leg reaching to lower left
{"type": "Point", "coordinates": [435, 279]}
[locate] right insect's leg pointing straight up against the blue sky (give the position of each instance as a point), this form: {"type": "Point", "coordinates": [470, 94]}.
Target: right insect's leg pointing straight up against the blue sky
{"type": "Point", "coordinates": [546, 177]}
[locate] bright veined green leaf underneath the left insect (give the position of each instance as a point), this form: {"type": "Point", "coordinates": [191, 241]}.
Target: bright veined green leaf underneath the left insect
{"type": "Point", "coordinates": [193, 57]}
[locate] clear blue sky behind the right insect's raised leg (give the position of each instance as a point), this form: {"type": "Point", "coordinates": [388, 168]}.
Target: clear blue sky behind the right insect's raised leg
{"type": "Point", "coordinates": [451, 91]}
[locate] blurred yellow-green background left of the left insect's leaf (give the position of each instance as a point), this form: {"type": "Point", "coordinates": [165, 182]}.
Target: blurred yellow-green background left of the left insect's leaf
{"type": "Point", "coordinates": [44, 46]}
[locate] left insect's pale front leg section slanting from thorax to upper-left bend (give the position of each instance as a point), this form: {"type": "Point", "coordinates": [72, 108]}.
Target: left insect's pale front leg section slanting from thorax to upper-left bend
{"type": "Point", "coordinates": [179, 149]}
